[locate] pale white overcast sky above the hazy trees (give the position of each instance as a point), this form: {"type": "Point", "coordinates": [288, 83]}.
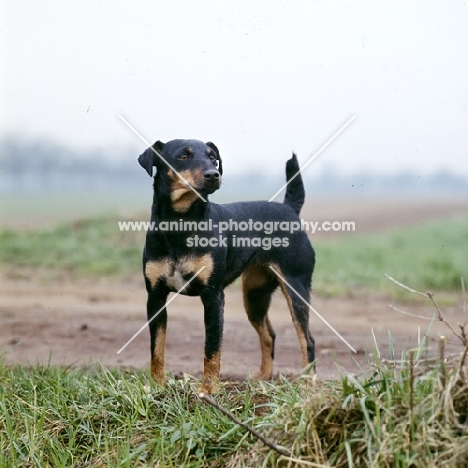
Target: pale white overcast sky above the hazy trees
{"type": "Point", "coordinates": [257, 78]}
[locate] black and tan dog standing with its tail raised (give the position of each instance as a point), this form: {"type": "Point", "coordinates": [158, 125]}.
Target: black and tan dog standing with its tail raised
{"type": "Point", "coordinates": [221, 242]}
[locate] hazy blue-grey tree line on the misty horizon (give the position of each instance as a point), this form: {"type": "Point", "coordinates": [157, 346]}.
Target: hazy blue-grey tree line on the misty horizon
{"type": "Point", "coordinates": [43, 165]}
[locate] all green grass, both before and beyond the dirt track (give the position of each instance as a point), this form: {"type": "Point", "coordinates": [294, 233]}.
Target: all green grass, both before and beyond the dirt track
{"type": "Point", "coordinates": [403, 411]}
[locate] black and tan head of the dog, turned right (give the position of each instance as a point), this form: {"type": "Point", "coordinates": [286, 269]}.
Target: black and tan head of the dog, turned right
{"type": "Point", "coordinates": [185, 164]}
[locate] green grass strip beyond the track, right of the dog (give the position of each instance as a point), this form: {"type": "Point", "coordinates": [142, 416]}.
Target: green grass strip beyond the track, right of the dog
{"type": "Point", "coordinates": [433, 255]}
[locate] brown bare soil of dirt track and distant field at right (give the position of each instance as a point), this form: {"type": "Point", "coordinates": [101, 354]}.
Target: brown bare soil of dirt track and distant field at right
{"type": "Point", "coordinates": [70, 322]}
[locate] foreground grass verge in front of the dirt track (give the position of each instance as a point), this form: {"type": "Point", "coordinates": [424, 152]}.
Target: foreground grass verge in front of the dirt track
{"type": "Point", "coordinates": [405, 412]}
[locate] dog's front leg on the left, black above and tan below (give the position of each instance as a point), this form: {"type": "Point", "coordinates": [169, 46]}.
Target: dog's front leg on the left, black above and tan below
{"type": "Point", "coordinates": [157, 326]}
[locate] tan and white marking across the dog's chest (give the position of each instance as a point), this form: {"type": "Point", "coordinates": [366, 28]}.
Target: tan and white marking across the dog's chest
{"type": "Point", "coordinates": [173, 271]}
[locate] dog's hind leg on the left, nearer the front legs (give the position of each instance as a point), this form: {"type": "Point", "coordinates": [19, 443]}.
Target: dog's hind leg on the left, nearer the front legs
{"type": "Point", "coordinates": [258, 285]}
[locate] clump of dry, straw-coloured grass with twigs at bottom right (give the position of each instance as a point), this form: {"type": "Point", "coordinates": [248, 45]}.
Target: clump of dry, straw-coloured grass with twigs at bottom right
{"type": "Point", "coordinates": [407, 411]}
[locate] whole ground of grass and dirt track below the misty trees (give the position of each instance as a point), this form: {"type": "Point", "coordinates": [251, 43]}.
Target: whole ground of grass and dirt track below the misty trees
{"type": "Point", "coordinates": [73, 295]}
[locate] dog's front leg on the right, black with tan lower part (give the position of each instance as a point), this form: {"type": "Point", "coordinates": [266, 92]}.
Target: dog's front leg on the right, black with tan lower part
{"type": "Point", "coordinates": [213, 302]}
